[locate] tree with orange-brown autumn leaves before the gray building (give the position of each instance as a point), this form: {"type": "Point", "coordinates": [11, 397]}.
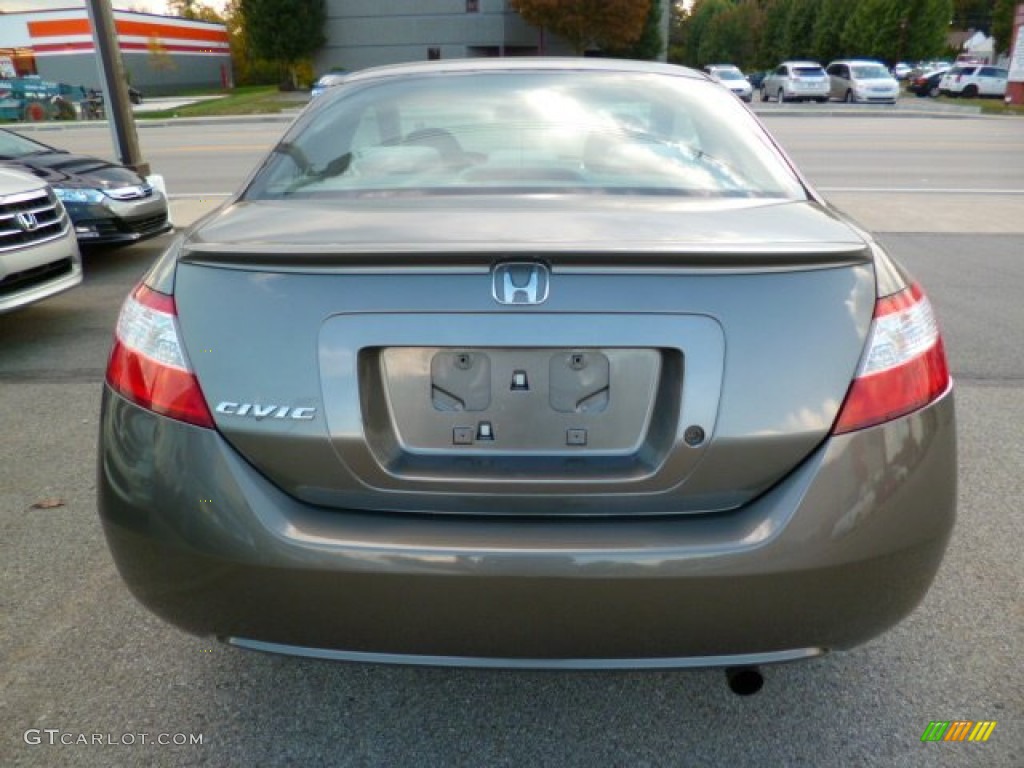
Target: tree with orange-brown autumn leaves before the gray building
{"type": "Point", "coordinates": [609, 24]}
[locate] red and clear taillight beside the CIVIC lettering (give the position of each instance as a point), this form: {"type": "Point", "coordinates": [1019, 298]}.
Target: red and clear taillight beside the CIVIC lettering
{"type": "Point", "coordinates": [149, 365]}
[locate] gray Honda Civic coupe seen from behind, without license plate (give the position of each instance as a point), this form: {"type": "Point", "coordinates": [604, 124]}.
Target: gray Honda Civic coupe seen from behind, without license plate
{"type": "Point", "coordinates": [529, 363]}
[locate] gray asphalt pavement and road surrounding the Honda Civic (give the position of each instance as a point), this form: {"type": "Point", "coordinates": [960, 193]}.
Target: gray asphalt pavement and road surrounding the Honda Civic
{"type": "Point", "coordinates": [80, 658]}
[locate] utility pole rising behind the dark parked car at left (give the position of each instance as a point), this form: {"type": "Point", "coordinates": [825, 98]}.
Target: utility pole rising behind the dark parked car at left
{"type": "Point", "coordinates": [112, 76]}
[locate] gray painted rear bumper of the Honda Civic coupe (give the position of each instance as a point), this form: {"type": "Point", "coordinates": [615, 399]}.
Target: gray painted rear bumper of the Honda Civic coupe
{"type": "Point", "coordinates": [840, 551]}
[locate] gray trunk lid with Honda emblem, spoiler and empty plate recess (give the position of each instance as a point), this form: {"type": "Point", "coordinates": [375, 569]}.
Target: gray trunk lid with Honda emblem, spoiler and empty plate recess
{"type": "Point", "coordinates": [367, 360]}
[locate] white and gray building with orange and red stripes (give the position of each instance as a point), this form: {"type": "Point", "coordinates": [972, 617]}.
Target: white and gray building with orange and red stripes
{"type": "Point", "coordinates": [162, 55]}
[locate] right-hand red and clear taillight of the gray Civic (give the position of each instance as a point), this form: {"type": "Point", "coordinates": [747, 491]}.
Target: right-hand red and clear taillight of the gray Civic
{"type": "Point", "coordinates": [905, 366]}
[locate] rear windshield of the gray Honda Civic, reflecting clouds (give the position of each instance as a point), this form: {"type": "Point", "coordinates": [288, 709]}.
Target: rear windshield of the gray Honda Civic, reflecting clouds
{"type": "Point", "coordinates": [584, 132]}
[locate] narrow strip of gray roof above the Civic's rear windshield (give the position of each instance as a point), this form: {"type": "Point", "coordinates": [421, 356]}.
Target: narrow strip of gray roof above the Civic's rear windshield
{"type": "Point", "coordinates": [533, 64]}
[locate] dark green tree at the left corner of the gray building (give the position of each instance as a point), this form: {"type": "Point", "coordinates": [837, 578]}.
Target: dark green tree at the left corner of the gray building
{"type": "Point", "coordinates": [284, 31]}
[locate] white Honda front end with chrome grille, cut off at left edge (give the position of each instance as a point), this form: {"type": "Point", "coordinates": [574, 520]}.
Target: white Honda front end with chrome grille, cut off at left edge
{"type": "Point", "coordinates": [39, 254]}
